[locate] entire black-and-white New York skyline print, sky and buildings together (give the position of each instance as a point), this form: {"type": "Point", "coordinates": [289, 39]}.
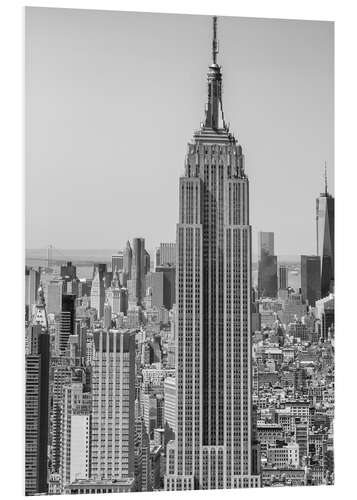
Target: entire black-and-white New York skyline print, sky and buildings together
{"type": "Point", "coordinates": [179, 287]}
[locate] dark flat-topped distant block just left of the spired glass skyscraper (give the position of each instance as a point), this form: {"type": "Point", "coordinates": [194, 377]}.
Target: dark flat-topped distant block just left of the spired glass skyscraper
{"type": "Point", "coordinates": [310, 279]}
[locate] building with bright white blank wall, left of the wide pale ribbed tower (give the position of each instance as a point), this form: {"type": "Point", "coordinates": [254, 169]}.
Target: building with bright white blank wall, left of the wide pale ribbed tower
{"type": "Point", "coordinates": [75, 432]}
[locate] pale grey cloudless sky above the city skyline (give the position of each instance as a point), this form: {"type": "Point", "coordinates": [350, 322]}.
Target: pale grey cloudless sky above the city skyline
{"type": "Point", "coordinates": [112, 99]}
